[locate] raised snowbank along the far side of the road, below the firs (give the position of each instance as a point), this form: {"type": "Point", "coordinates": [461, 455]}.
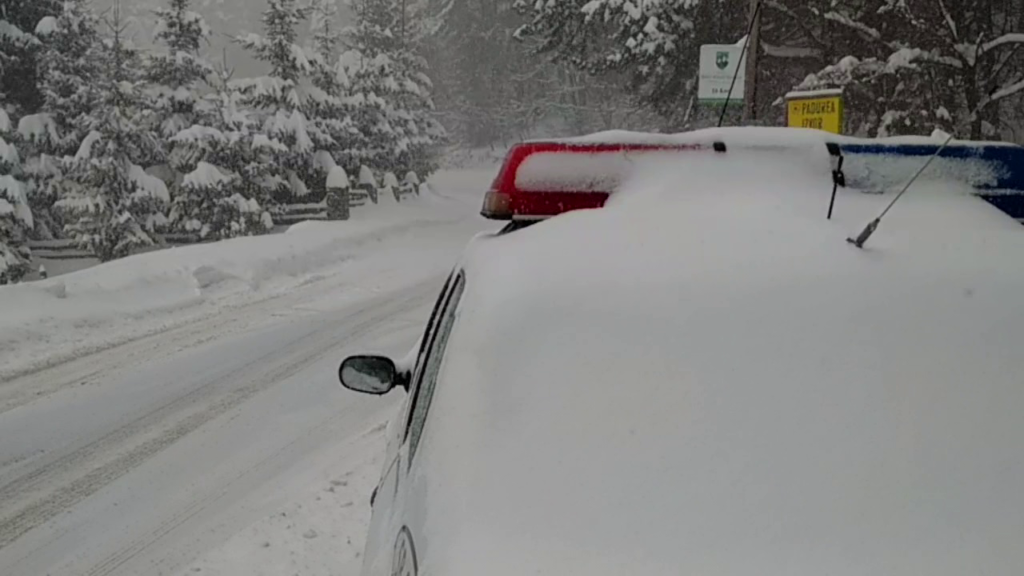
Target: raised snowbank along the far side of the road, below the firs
{"type": "Point", "coordinates": [58, 319]}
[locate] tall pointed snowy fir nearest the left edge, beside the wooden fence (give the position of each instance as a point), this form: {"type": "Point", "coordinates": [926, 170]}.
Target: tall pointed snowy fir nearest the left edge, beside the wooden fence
{"type": "Point", "coordinates": [111, 202]}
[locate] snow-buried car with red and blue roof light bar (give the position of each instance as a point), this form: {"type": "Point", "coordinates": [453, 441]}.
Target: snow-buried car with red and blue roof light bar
{"type": "Point", "coordinates": [705, 378]}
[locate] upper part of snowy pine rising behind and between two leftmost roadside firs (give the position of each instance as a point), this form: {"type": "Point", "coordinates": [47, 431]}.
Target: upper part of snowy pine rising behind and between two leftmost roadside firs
{"type": "Point", "coordinates": [178, 70]}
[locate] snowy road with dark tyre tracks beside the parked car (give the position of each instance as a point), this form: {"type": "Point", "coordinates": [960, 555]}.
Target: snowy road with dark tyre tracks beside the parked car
{"type": "Point", "coordinates": [146, 458]}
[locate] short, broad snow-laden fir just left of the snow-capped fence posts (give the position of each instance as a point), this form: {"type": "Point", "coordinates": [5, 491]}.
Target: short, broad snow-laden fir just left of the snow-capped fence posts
{"type": "Point", "coordinates": [225, 164]}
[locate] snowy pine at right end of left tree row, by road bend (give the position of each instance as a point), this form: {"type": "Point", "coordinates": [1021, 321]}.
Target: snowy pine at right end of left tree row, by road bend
{"type": "Point", "coordinates": [389, 79]}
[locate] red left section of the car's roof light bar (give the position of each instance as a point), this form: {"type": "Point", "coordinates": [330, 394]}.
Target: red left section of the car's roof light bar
{"type": "Point", "coordinates": [566, 177]}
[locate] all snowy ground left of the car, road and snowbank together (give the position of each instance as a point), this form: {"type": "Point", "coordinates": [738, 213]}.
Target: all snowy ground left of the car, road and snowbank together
{"type": "Point", "coordinates": [180, 413]}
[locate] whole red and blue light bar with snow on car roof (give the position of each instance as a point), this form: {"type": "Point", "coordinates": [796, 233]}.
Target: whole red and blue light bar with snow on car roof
{"type": "Point", "coordinates": [601, 163]}
